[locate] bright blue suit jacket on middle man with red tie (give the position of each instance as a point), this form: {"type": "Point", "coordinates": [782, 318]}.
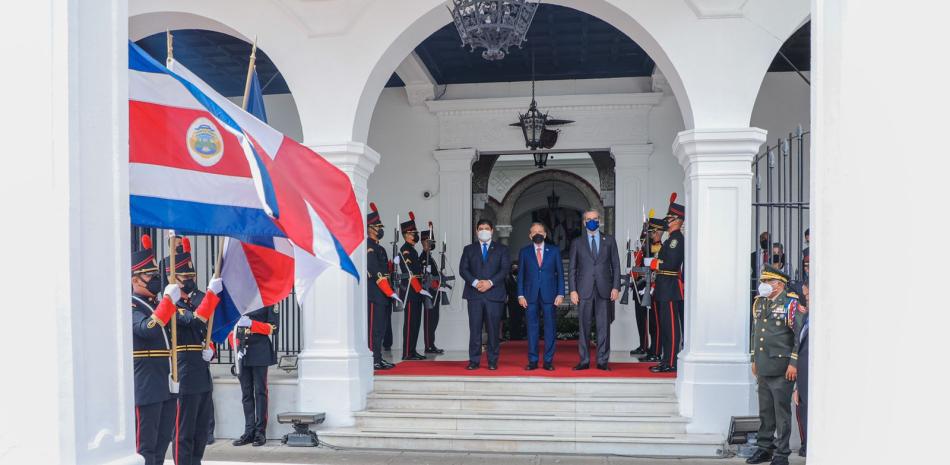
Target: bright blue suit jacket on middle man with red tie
{"type": "Point", "coordinates": [543, 282]}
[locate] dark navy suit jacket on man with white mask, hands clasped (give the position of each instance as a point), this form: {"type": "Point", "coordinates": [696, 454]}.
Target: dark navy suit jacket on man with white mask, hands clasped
{"type": "Point", "coordinates": [494, 269]}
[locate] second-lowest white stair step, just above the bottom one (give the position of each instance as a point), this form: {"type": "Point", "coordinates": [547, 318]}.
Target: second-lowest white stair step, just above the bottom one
{"type": "Point", "coordinates": [519, 422]}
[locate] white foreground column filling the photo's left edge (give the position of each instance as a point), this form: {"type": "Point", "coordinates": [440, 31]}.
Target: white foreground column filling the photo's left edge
{"type": "Point", "coordinates": [67, 379]}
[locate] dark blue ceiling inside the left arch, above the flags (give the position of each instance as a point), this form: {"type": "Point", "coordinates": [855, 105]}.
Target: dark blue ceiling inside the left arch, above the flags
{"type": "Point", "coordinates": [219, 59]}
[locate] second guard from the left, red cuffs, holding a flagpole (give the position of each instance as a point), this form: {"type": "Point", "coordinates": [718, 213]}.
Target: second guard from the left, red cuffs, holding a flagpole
{"type": "Point", "coordinates": [195, 410]}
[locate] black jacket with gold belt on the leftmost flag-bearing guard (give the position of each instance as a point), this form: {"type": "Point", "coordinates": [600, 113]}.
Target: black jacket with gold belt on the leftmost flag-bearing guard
{"type": "Point", "coordinates": [150, 354]}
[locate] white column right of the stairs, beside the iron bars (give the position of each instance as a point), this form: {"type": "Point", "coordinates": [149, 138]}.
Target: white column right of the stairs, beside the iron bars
{"type": "Point", "coordinates": [715, 380]}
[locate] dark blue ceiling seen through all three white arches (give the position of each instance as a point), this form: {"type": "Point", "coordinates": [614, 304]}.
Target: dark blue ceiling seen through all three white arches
{"type": "Point", "coordinates": [567, 44]}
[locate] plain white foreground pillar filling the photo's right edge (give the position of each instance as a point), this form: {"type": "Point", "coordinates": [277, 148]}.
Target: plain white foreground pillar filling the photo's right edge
{"type": "Point", "coordinates": [879, 179]}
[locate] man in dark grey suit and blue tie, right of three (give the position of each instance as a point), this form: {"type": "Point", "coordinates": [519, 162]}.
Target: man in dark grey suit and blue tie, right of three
{"type": "Point", "coordinates": [595, 282]}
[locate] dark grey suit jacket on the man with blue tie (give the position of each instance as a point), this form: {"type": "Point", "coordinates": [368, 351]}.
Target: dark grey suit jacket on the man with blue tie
{"type": "Point", "coordinates": [588, 273]}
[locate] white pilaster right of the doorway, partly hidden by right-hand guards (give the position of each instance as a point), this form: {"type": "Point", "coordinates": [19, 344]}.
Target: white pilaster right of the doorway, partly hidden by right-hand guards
{"type": "Point", "coordinates": [631, 165]}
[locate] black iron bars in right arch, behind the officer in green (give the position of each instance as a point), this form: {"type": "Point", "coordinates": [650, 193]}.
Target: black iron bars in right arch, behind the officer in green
{"type": "Point", "coordinates": [780, 207]}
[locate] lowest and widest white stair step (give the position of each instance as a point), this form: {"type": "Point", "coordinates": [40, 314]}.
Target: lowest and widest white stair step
{"type": "Point", "coordinates": [654, 445]}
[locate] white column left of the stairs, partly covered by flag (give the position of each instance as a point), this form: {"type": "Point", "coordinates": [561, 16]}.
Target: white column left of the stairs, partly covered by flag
{"type": "Point", "coordinates": [335, 367]}
